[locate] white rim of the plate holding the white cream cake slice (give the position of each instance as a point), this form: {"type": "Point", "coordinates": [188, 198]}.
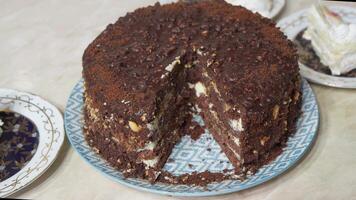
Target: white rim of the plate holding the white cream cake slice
{"type": "Point", "coordinates": [297, 22]}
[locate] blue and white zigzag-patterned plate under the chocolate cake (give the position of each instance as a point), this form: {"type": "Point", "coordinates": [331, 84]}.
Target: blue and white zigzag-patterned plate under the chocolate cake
{"type": "Point", "coordinates": [200, 155]}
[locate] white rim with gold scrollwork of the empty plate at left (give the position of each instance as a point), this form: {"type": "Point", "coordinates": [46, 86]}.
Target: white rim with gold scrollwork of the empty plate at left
{"type": "Point", "coordinates": [50, 133]}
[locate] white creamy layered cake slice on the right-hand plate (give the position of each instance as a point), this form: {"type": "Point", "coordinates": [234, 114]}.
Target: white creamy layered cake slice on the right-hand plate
{"type": "Point", "coordinates": [332, 39]}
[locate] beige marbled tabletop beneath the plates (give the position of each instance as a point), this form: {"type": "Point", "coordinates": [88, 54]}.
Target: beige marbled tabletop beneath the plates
{"type": "Point", "coordinates": [41, 48]}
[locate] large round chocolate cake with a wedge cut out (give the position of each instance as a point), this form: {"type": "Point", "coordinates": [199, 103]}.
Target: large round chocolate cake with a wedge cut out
{"type": "Point", "coordinates": [147, 73]}
